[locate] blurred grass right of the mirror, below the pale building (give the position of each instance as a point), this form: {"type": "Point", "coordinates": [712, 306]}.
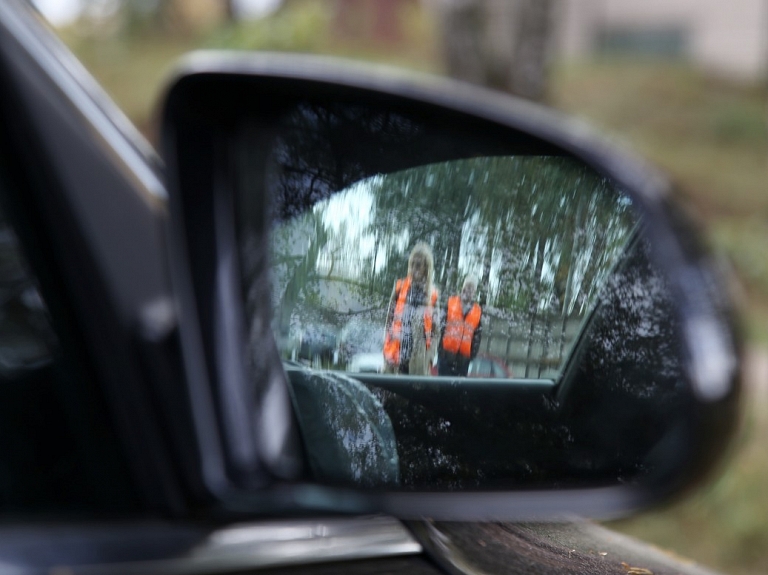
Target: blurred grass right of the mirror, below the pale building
{"type": "Point", "coordinates": [709, 135]}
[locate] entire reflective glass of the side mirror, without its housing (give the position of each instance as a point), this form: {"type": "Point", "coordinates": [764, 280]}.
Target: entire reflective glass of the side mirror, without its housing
{"type": "Point", "coordinates": [456, 305]}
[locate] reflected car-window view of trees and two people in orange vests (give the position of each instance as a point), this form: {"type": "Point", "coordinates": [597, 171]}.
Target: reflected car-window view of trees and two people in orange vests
{"type": "Point", "coordinates": [487, 266]}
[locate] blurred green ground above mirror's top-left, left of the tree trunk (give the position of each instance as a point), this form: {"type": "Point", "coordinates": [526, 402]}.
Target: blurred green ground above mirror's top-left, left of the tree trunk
{"type": "Point", "coordinates": [133, 62]}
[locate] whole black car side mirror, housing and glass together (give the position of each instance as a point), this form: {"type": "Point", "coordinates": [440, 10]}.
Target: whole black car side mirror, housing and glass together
{"type": "Point", "coordinates": [421, 298]}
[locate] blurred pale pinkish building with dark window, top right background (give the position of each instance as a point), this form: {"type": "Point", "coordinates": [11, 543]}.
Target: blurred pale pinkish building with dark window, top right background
{"type": "Point", "coordinates": [726, 38]}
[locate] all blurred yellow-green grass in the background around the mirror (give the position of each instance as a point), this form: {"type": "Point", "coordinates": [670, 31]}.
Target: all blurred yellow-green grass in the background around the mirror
{"type": "Point", "coordinates": [709, 135]}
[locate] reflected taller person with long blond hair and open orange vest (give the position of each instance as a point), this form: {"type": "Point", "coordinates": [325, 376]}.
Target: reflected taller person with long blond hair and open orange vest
{"type": "Point", "coordinates": [411, 328]}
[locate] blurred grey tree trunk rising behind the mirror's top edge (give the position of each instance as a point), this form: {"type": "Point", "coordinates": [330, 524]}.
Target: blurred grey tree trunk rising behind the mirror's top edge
{"type": "Point", "coordinates": [503, 44]}
